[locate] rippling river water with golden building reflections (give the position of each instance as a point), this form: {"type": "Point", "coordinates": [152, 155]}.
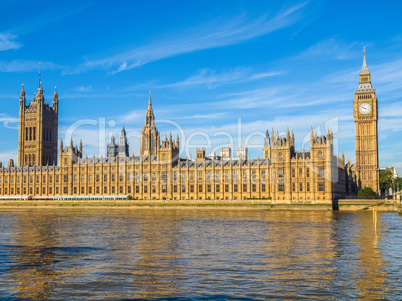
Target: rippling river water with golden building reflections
{"type": "Point", "coordinates": [164, 254]}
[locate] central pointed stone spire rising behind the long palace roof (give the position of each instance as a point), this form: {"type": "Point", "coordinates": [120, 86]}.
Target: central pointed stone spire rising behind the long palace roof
{"type": "Point", "coordinates": [150, 140]}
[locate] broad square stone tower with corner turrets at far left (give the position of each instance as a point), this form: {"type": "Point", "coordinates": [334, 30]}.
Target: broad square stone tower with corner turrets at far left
{"type": "Point", "coordinates": [38, 130]}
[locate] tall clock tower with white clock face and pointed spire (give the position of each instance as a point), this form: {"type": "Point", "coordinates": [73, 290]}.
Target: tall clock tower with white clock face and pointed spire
{"type": "Point", "coordinates": [365, 109]}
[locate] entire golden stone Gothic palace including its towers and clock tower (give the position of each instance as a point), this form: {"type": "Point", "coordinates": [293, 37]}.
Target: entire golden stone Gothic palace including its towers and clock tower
{"type": "Point", "coordinates": [159, 172]}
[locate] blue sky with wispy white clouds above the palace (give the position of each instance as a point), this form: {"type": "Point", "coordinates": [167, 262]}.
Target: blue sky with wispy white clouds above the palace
{"type": "Point", "coordinates": [216, 69]}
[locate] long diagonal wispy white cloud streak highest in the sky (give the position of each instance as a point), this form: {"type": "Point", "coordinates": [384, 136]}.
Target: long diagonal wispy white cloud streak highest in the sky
{"type": "Point", "coordinates": [215, 34]}
